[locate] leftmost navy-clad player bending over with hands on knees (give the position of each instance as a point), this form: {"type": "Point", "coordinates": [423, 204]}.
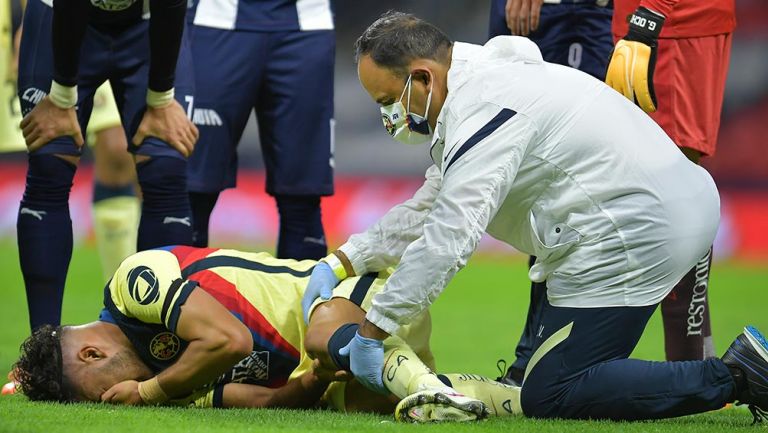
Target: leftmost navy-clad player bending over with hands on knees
{"type": "Point", "coordinates": [73, 43]}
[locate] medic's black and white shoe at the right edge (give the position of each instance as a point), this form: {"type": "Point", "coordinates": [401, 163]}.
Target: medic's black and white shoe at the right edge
{"type": "Point", "coordinates": [747, 358]}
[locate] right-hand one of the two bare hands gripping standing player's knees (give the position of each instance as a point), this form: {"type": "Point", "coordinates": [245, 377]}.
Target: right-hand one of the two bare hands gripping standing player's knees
{"type": "Point", "coordinates": [170, 124]}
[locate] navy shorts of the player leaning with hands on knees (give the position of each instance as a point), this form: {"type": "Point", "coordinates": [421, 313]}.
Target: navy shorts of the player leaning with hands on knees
{"type": "Point", "coordinates": [122, 58]}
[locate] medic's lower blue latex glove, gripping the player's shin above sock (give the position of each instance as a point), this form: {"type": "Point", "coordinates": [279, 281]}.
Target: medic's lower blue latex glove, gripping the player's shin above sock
{"type": "Point", "coordinates": [366, 359]}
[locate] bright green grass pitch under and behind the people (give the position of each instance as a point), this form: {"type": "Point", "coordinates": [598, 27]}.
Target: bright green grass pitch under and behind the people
{"type": "Point", "coordinates": [476, 322]}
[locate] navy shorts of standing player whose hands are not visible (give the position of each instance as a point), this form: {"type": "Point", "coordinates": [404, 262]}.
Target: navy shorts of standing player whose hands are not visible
{"type": "Point", "coordinates": [287, 78]}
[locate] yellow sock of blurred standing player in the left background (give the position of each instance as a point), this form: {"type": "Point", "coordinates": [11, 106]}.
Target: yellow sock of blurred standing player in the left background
{"type": "Point", "coordinates": [115, 224]}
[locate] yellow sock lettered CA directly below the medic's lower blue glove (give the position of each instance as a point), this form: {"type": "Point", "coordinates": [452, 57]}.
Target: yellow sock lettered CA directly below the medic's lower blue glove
{"type": "Point", "coordinates": [404, 372]}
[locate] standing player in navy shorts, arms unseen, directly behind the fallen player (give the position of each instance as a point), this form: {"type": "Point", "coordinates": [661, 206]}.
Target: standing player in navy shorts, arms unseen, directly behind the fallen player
{"type": "Point", "coordinates": [275, 57]}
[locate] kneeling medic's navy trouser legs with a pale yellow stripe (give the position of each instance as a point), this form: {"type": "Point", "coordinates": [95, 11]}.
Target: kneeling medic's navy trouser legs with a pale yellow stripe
{"type": "Point", "coordinates": [580, 370]}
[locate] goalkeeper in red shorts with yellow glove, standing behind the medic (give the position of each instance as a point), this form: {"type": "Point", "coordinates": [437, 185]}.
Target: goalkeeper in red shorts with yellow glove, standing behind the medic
{"type": "Point", "coordinates": [671, 58]}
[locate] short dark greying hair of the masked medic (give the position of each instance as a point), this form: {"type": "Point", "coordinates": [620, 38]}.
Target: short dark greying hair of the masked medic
{"type": "Point", "coordinates": [397, 38]}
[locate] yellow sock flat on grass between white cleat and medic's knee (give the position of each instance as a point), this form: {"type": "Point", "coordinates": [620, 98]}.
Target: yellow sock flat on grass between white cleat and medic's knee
{"type": "Point", "coordinates": [501, 399]}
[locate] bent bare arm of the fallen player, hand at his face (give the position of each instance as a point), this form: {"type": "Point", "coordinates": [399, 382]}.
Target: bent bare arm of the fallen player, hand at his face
{"type": "Point", "coordinates": [217, 341]}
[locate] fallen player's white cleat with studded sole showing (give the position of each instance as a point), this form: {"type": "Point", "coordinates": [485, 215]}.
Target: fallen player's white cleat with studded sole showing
{"type": "Point", "coordinates": [439, 405]}
